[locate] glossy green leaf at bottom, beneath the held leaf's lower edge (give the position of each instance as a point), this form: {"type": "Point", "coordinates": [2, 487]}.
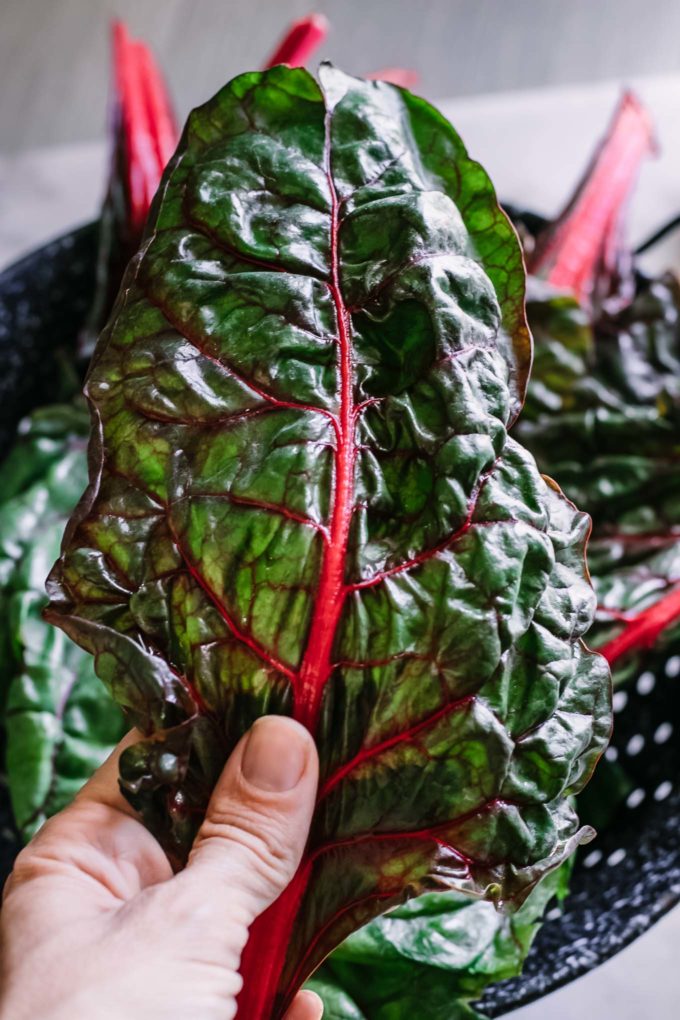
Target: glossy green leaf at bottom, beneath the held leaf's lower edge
{"type": "Point", "coordinates": [434, 956]}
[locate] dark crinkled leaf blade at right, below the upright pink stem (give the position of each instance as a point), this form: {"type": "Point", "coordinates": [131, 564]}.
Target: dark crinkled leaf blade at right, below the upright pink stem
{"type": "Point", "coordinates": [606, 396]}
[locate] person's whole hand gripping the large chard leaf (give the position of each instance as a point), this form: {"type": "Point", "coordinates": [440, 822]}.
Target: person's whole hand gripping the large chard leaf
{"type": "Point", "coordinates": [95, 926]}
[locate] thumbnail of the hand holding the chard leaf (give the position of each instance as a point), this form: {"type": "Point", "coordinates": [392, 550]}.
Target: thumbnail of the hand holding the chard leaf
{"type": "Point", "coordinates": [276, 754]}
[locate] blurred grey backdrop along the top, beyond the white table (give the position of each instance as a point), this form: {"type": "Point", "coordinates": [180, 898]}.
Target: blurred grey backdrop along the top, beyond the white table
{"type": "Point", "coordinates": [55, 54]}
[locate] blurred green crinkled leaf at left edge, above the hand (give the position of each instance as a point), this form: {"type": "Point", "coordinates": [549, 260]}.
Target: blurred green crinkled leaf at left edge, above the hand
{"type": "Point", "coordinates": [61, 724]}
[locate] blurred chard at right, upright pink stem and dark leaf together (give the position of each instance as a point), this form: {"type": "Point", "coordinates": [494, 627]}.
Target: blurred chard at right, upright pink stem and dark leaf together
{"type": "Point", "coordinates": [603, 415]}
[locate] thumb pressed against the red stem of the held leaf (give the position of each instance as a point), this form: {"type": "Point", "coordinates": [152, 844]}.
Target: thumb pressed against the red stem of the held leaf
{"type": "Point", "coordinates": [256, 827]}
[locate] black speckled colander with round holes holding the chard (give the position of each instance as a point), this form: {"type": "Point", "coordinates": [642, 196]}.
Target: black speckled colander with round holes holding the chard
{"type": "Point", "coordinates": [622, 884]}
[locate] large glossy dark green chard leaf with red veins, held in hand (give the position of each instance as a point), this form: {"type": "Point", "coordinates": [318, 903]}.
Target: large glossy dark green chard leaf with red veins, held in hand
{"type": "Point", "coordinates": [303, 500]}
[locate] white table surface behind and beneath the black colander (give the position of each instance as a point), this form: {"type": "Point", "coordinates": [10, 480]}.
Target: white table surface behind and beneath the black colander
{"type": "Point", "coordinates": [535, 145]}
